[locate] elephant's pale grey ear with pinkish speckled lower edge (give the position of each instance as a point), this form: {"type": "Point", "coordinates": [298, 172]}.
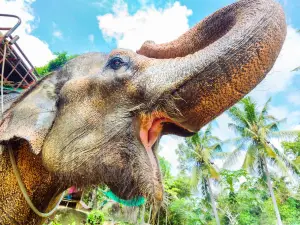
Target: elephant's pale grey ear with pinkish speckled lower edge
{"type": "Point", "coordinates": [31, 116]}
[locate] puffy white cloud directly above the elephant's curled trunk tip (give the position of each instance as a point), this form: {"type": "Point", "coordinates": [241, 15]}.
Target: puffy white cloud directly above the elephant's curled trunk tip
{"type": "Point", "coordinates": [148, 23]}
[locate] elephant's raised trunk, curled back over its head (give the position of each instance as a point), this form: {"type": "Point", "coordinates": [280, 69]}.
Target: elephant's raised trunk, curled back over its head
{"type": "Point", "coordinates": [218, 61]}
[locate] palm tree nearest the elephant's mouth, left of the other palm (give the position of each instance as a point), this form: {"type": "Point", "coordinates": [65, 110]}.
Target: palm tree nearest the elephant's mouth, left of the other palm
{"type": "Point", "coordinates": [196, 156]}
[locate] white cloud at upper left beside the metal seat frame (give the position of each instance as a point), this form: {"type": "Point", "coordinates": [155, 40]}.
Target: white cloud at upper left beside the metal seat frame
{"type": "Point", "coordinates": [36, 50]}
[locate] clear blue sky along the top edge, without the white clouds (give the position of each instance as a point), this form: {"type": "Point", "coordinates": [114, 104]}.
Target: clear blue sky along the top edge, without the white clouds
{"type": "Point", "coordinates": [76, 19]}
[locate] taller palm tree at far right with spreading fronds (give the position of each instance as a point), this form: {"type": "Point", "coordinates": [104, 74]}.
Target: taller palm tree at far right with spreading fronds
{"type": "Point", "coordinates": [255, 129]}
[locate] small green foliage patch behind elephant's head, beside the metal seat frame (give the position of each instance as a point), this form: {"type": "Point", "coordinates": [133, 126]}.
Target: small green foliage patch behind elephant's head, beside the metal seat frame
{"type": "Point", "coordinates": [60, 60]}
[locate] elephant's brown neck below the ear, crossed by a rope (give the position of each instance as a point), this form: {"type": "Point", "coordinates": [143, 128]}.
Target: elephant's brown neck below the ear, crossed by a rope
{"type": "Point", "coordinates": [41, 186]}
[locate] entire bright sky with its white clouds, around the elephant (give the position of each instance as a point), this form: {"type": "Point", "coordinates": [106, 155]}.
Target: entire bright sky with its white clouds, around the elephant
{"type": "Point", "coordinates": [79, 26]}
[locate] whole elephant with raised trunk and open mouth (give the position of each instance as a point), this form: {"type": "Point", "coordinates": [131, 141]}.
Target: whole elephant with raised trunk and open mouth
{"type": "Point", "coordinates": [99, 119]}
